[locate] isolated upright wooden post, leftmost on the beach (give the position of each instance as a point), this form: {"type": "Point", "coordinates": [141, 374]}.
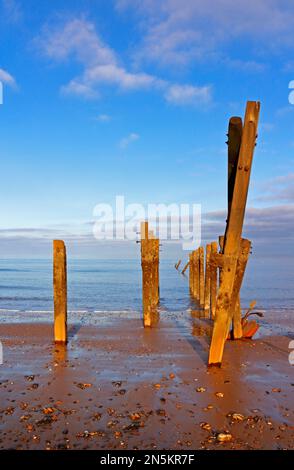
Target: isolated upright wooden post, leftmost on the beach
{"type": "Point", "coordinates": [60, 292]}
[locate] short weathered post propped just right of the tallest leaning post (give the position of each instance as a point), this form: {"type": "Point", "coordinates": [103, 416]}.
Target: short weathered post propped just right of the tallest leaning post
{"type": "Point", "coordinates": [245, 247]}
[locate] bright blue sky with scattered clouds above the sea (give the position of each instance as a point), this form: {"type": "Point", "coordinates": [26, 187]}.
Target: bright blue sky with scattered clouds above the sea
{"type": "Point", "coordinates": [108, 97]}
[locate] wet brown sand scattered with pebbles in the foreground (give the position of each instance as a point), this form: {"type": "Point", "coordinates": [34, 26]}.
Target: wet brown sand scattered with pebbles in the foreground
{"type": "Point", "coordinates": [118, 386]}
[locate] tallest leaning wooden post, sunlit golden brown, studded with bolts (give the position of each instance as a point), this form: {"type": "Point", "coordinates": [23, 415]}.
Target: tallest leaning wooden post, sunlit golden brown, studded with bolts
{"type": "Point", "coordinates": [233, 233]}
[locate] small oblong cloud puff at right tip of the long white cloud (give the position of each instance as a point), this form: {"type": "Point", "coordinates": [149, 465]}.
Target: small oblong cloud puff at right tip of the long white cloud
{"type": "Point", "coordinates": [188, 94]}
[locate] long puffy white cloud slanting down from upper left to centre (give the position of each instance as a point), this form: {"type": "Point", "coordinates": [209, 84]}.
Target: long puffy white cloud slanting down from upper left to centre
{"type": "Point", "coordinates": [78, 39]}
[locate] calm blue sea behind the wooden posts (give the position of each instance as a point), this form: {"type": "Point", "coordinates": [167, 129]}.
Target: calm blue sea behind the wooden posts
{"type": "Point", "coordinates": [102, 287]}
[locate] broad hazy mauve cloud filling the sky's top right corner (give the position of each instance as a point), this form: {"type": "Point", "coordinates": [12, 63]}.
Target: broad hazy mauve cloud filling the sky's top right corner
{"type": "Point", "coordinates": [182, 31]}
